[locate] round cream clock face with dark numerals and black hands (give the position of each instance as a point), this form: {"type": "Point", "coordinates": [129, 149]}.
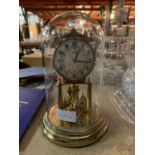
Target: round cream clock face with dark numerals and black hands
{"type": "Point", "coordinates": [74, 59]}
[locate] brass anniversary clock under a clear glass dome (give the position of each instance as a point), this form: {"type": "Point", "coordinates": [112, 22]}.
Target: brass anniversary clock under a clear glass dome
{"type": "Point", "coordinates": [73, 117]}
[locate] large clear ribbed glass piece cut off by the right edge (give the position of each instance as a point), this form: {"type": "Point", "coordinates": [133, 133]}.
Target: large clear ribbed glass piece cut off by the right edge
{"type": "Point", "coordinates": [124, 96]}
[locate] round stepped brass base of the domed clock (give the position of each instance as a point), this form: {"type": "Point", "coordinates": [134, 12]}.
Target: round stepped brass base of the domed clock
{"type": "Point", "coordinates": [74, 136]}
